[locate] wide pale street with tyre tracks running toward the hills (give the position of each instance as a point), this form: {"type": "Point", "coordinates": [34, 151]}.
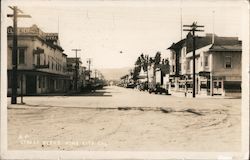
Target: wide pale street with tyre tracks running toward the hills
{"type": "Point", "coordinates": [125, 119]}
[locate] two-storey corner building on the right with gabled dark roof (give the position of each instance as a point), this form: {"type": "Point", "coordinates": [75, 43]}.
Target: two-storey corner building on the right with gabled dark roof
{"type": "Point", "coordinates": [218, 65]}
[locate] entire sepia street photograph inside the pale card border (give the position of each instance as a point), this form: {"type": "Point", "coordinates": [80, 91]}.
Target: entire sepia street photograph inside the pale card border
{"type": "Point", "coordinates": [124, 76]}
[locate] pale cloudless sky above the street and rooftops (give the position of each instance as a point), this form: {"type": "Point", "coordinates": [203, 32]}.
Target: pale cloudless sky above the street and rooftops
{"type": "Point", "coordinates": [101, 29]}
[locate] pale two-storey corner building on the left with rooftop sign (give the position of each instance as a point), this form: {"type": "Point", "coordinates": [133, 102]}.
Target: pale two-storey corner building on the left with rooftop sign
{"type": "Point", "coordinates": [41, 62]}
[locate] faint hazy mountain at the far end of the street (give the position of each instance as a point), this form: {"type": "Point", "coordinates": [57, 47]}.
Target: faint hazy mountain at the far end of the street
{"type": "Point", "coordinates": [114, 73]}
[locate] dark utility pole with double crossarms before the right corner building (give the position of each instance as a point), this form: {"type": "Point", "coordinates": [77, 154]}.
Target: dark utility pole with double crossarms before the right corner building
{"type": "Point", "coordinates": [194, 29]}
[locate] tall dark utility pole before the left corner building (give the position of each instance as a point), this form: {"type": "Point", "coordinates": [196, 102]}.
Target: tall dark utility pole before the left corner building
{"type": "Point", "coordinates": [14, 54]}
